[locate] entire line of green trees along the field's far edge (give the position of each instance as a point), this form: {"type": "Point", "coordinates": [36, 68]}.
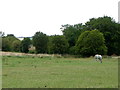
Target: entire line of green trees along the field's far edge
{"type": "Point", "coordinates": [98, 35]}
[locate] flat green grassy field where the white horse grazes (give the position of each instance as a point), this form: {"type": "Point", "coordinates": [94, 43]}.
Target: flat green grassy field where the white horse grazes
{"type": "Point", "coordinates": [48, 72]}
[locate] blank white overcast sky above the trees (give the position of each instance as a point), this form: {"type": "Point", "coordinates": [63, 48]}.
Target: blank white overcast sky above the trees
{"type": "Point", "coordinates": [25, 17]}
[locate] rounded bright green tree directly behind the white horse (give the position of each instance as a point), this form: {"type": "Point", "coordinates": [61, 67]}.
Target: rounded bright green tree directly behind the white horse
{"type": "Point", "coordinates": [90, 43]}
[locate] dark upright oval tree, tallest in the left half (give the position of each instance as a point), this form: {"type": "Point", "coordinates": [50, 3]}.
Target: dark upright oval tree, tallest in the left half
{"type": "Point", "coordinates": [40, 41]}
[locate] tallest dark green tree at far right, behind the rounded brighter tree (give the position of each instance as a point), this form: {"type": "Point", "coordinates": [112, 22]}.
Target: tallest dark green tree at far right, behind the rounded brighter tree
{"type": "Point", "coordinates": [110, 30]}
